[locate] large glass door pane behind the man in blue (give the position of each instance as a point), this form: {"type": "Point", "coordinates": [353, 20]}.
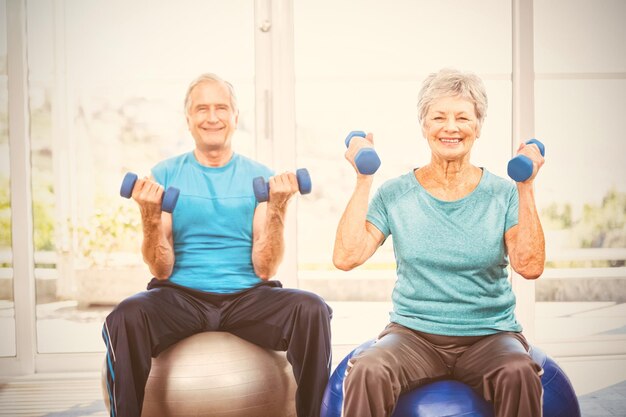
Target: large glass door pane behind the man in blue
{"type": "Point", "coordinates": [107, 83]}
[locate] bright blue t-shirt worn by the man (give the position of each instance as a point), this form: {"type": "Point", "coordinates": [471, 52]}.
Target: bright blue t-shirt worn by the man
{"type": "Point", "coordinates": [212, 221]}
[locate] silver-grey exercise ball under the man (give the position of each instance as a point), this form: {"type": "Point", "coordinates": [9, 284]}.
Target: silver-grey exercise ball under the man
{"type": "Point", "coordinates": [218, 374]}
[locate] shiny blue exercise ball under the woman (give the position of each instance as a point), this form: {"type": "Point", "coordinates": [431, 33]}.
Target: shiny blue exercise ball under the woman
{"type": "Point", "coordinates": [451, 398]}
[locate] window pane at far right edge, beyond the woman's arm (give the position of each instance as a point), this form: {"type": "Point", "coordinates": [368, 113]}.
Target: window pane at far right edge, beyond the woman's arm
{"type": "Point", "coordinates": [580, 98]}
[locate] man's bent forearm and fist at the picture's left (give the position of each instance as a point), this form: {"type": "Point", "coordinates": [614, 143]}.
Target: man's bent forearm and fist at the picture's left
{"type": "Point", "coordinates": [157, 247]}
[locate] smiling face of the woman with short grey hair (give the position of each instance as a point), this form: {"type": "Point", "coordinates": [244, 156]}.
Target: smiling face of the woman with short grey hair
{"type": "Point", "coordinates": [451, 127]}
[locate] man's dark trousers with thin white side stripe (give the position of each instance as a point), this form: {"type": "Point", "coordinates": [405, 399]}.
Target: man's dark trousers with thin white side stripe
{"type": "Point", "coordinates": [144, 325]}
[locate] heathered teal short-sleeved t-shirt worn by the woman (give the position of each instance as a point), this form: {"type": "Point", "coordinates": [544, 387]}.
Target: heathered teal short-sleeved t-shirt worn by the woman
{"type": "Point", "coordinates": [452, 275]}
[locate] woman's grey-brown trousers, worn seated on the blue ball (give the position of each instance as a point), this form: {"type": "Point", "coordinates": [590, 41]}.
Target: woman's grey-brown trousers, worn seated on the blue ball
{"type": "Point", "coordinates": [497, 366]}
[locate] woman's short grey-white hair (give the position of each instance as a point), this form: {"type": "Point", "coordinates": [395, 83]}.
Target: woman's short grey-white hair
{"type": "Point", "coordinates": [452, 83]}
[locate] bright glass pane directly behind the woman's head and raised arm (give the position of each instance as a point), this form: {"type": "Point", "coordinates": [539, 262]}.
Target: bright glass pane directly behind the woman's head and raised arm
{"type": "Point", "coordinates": [364, 74]}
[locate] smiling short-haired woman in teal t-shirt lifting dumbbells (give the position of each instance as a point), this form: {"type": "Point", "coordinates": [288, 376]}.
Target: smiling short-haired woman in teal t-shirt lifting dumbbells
{"type": "Point", "coordinates": [455, 229]}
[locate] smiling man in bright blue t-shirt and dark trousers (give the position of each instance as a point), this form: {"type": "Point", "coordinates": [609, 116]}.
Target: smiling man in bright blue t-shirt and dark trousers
{"type": "Point", "coordinates": [212, 260]}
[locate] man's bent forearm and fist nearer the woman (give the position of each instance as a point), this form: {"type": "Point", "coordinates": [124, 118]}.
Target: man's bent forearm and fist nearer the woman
{"type": "Point", "coordinates": [268, 244]}
